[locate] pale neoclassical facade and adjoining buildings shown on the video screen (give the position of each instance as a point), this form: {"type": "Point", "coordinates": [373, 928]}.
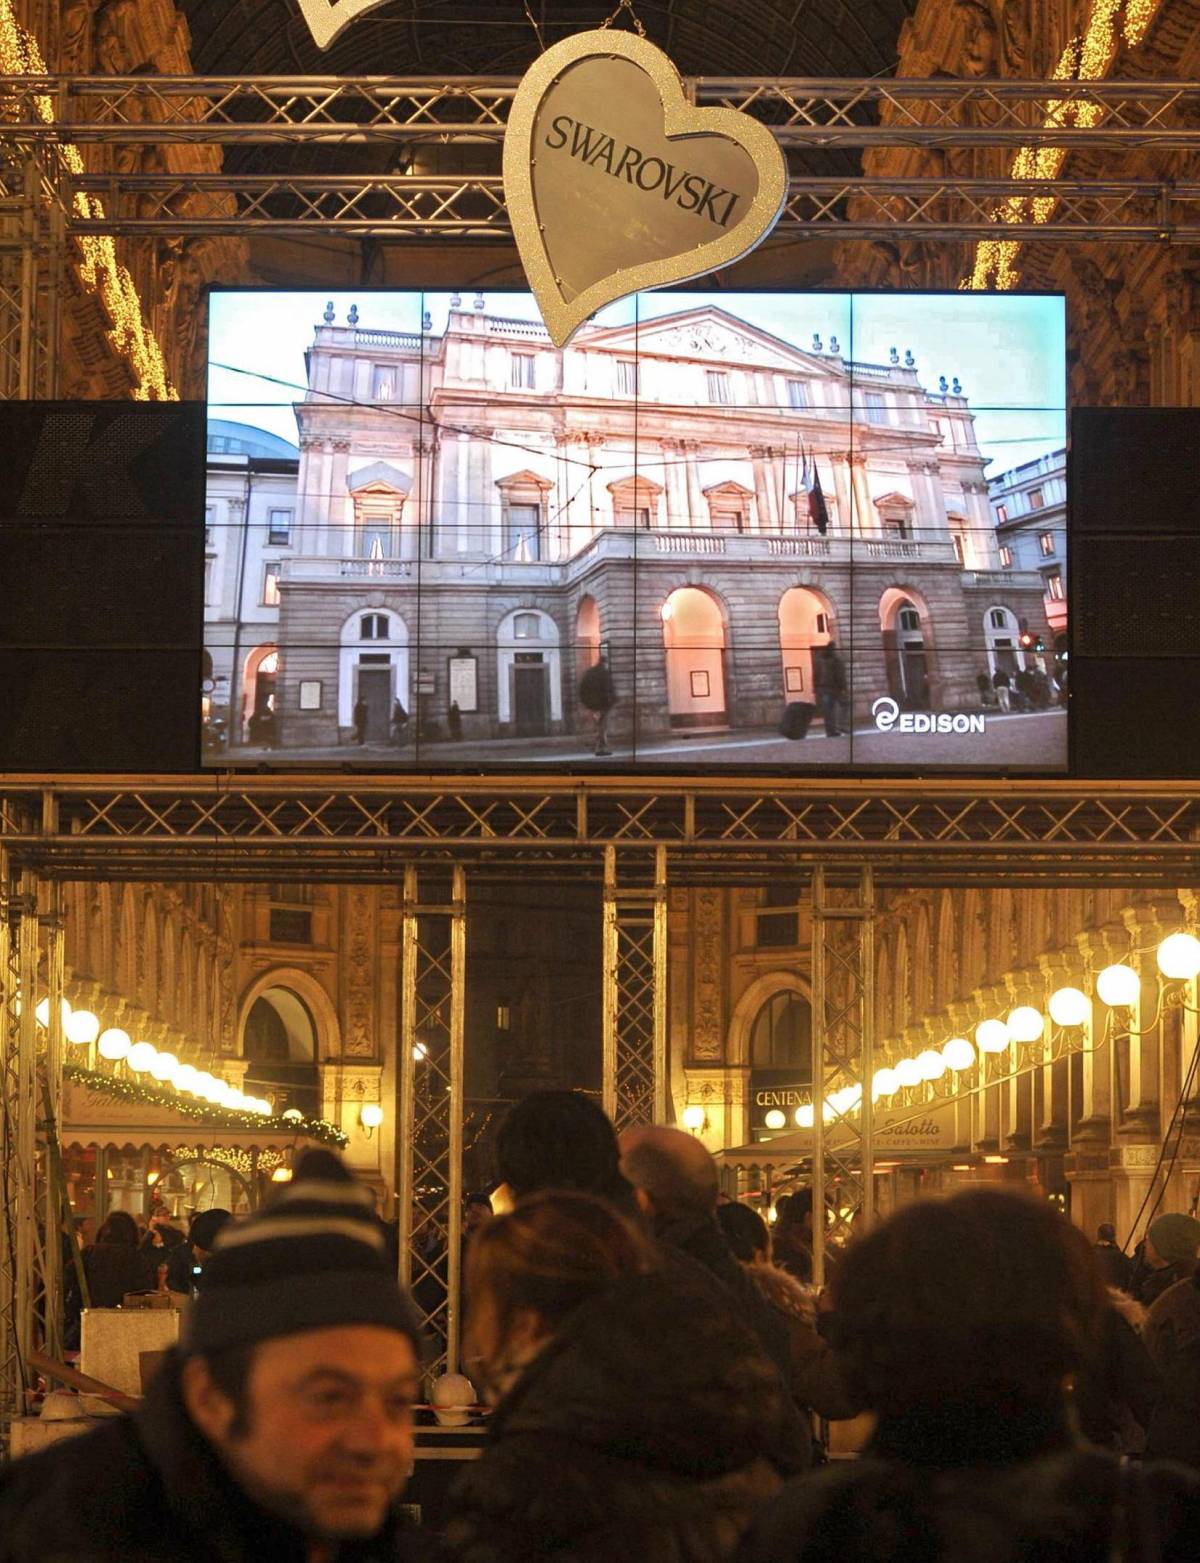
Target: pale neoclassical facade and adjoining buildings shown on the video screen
{"type": "Point", "coordinates": [479, 517]}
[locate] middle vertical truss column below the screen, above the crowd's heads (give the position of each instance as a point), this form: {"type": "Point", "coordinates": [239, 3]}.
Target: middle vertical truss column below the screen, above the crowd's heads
{"type": "Point", "coordinates": [635, 993]}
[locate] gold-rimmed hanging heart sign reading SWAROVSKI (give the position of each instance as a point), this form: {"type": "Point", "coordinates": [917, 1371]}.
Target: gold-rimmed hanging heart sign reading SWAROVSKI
{"type": "Point", "coordinates": [616, 184]}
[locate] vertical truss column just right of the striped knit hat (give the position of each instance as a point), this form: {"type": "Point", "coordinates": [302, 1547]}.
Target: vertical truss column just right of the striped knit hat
{"type": "Point", "coordinates": [430, 1111]}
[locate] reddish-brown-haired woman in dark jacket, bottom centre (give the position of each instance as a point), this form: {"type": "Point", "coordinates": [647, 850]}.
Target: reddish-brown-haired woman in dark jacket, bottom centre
{"type": "Point", "coordinates": [629, 1423]}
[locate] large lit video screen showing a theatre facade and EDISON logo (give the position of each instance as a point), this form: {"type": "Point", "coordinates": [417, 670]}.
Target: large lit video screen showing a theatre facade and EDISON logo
{"type": "Point", "coordinates": [757, 529]}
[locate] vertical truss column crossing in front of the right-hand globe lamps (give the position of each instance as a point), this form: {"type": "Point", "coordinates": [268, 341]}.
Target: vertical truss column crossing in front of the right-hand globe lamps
{"type": "Point", "coordinates": [843, 1056]}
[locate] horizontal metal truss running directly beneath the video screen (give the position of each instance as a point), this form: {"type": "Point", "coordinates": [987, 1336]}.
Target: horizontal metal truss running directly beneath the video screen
{"type": "Point", "coordinates": [305, 828]}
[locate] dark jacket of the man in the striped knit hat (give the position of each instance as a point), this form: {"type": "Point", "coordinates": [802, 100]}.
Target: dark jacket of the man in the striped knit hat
{"type": "Point", "coordinates": [149, 1490]}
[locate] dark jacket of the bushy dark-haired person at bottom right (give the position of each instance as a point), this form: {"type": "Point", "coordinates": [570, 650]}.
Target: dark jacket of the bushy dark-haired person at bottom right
{"type": "Point", "coordinates": [962, 1492]}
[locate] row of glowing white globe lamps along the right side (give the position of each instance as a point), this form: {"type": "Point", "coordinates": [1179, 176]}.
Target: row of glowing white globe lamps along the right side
{"type": "Point", "coordinates": [1118, 987]}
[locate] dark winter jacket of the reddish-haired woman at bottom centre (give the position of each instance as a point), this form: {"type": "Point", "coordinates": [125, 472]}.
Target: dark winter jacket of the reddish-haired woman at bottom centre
{"type": "Point", "coordinates": [651, 1429]}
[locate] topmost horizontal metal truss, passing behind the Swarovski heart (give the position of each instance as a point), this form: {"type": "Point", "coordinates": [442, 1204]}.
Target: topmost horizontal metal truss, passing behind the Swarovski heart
{"type": "Point", "coordinates": [801, 112]}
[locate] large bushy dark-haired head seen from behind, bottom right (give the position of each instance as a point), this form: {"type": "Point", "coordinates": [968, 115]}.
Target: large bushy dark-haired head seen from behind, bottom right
{"type": "Point", "coordinates": [988, 1297]}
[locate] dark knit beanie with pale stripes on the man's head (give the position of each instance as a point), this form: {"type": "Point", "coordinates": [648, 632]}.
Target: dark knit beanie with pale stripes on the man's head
{"type": "Point", "coordinates": [315, 1257]}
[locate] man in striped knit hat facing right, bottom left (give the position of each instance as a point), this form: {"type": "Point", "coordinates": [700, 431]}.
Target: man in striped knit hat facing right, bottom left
{"type": "Point", "coordinates": [280, 1428]}
